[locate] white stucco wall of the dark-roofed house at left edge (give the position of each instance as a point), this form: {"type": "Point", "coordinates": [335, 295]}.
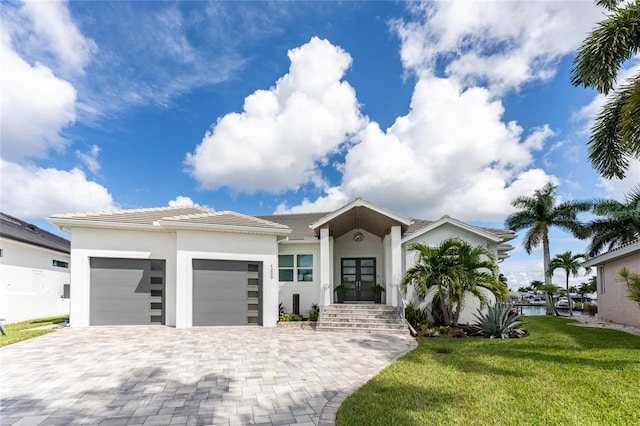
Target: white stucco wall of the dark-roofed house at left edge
{"type": "Point", "coordinates": [30, 286]}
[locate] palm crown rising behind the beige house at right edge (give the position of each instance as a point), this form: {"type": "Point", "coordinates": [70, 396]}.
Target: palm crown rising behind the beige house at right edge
{"type": "Point", "coordinates": [618, 222]}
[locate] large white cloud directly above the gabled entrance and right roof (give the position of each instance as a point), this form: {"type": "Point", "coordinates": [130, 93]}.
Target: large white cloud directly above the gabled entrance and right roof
{"type": "Point", "coordinates": [451, 154]}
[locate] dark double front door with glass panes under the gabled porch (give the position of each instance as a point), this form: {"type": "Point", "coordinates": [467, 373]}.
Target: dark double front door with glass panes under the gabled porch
{"type": "Point", "coordinates": [359, 275]}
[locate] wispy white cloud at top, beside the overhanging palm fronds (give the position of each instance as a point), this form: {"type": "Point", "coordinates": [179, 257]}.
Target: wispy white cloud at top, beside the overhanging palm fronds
{"type": "Point", "coordinates": [498, 44]}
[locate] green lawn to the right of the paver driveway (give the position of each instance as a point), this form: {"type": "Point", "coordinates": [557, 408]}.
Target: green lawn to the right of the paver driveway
{"type": "Point", "coordinates": [560, 374]}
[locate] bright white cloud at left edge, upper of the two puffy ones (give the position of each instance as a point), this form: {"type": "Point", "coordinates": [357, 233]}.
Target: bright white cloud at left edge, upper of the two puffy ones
{"type": "Point", "coordinates": [36, 107]}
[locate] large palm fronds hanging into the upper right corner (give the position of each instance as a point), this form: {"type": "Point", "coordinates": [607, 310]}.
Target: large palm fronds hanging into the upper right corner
{"type": "Point", "coordinates": [615, 135]}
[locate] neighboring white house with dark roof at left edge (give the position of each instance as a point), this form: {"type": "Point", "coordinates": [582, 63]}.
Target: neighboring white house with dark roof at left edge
{"type": "Point", "coordinates": [34, 271]}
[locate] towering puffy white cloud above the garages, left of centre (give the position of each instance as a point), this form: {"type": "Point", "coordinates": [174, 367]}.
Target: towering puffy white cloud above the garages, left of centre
{"type": "Point", "coordinates": [284, 133]}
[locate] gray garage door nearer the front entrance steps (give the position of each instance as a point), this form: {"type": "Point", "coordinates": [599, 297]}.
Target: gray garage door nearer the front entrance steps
{"type": "Point", "coordinates": [226, 292]}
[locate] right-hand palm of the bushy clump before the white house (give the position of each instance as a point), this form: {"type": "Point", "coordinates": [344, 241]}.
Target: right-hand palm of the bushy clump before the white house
{"type": "Point", "coordinates": [477, 270]}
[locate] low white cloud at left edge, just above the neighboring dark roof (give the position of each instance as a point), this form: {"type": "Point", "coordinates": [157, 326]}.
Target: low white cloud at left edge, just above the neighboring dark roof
{"type": "Point", "coordinates": [31, 192]}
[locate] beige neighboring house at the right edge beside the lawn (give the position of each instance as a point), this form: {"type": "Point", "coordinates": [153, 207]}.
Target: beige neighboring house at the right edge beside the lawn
{"type": "Point", "coordinates": [613, 302]}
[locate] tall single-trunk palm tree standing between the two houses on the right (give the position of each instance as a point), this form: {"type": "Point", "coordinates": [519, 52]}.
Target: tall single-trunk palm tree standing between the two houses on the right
{"type": "Point", "coordinates": [538, 214]}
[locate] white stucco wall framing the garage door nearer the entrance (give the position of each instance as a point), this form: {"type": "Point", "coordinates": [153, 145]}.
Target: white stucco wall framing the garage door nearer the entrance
{"type": "Point", "coordinates": [226, 246]}
